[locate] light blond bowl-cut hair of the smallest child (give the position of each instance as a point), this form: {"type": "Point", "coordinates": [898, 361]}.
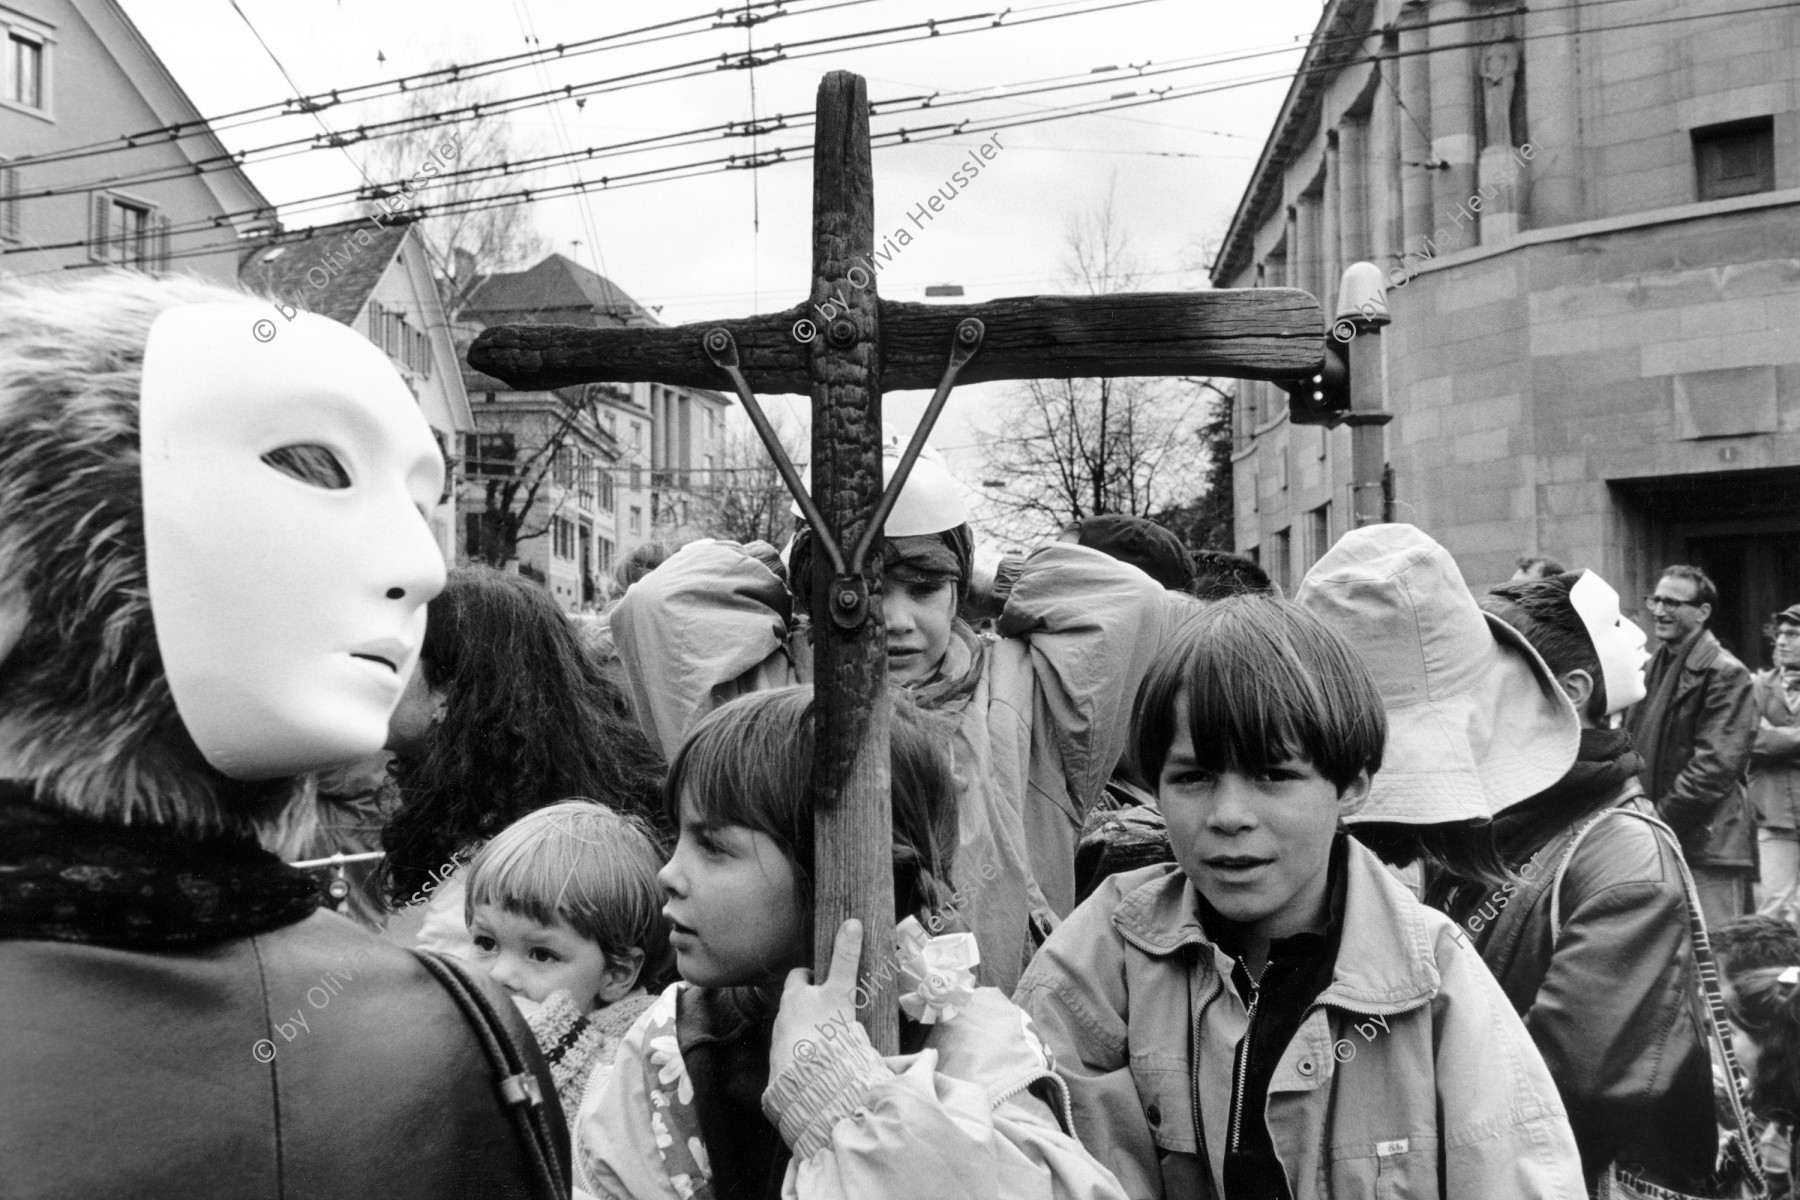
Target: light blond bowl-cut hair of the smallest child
{"type": "Point", "coordinates": [584, 864]}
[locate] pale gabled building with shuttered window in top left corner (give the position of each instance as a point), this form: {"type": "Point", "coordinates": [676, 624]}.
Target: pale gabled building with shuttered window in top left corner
{"type": "Point", "coordinates": [75, 75]}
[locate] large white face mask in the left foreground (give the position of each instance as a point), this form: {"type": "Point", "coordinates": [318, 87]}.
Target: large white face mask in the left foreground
{"type": "Point", "coordinates": [289, 614]}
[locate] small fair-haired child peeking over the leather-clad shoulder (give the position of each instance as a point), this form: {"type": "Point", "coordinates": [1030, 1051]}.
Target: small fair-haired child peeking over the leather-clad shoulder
{"type": "Point", "coordinates": [564, 911]}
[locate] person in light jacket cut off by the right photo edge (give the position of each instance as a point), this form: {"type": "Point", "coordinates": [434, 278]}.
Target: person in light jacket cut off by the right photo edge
{"type": "Point", "coordinates": [1776, 766]}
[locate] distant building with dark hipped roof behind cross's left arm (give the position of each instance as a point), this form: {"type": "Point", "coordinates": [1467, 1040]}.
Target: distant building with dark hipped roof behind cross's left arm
{"type": "Point", "coordinates": [669, 442]}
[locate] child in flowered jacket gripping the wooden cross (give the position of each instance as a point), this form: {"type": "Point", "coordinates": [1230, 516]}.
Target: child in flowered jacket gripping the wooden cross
{"type": "Point", "coordinates": [741, 1086]}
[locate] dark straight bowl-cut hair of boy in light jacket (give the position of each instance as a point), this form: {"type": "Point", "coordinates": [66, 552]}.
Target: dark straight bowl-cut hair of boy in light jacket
{"type": "Point", "coordinates": [1264, 683]}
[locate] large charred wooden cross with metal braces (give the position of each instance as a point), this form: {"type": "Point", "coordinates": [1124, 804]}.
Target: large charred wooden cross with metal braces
{"type": "Point", "coordinates": [856, 346]}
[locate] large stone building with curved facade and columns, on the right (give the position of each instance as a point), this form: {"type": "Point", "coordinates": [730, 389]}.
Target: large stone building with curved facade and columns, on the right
{"type": "Point", "coordinates": [1590, 220]}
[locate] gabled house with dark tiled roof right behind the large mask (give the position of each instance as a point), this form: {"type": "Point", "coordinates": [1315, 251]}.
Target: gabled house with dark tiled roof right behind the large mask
{"type": "Point", "coordinates": [373, 276]}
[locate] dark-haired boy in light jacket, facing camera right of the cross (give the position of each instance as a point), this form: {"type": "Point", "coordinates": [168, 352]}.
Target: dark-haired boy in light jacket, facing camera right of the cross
{"type": "Point", "coordinates": [1275, 1016]}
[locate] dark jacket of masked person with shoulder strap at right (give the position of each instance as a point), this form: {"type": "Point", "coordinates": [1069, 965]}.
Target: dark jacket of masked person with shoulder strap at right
{"type": "Point", "coordinates": [1614, 1005]}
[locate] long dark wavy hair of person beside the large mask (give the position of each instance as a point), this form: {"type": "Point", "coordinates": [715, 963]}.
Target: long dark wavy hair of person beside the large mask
{"type": "Point", "coordinates": [530, 721]}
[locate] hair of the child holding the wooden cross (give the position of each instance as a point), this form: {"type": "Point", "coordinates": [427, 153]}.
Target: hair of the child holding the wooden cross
{"type": "Point", "coordinates": [750, 764]}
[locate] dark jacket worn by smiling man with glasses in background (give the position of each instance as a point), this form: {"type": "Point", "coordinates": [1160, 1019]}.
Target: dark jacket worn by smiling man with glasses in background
{"type": "Point", "coordinates": [1696, 753]}
